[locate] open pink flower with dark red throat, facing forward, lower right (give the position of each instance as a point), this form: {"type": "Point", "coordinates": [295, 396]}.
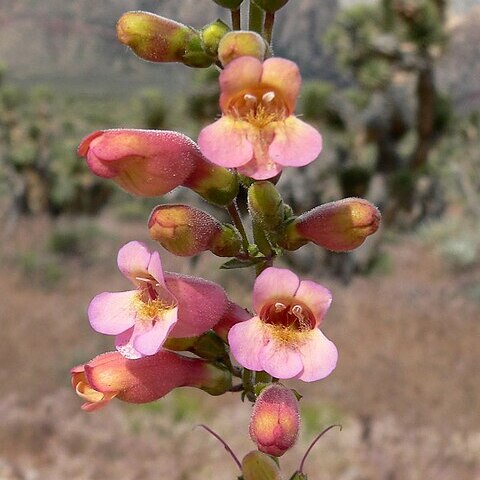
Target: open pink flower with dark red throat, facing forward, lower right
{"type": "Point", "coordinates": [283, 338]}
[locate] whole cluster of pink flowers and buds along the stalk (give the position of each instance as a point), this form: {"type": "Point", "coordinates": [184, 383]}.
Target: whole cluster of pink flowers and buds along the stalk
{"type": "Point", "coordinates": [173, 330]}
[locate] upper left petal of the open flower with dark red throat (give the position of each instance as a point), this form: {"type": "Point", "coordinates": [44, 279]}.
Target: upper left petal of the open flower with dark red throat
{"type": "Point", "coordinates": [274, 283]}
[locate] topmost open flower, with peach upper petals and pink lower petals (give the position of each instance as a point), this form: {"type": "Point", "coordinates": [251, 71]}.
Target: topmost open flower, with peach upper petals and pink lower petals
{"type": "Point", "coordinates": [258, 133]}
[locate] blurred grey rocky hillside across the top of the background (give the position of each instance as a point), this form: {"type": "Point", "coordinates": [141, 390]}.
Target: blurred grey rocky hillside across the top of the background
{"type": "Point", "coordinates": [74, 43]}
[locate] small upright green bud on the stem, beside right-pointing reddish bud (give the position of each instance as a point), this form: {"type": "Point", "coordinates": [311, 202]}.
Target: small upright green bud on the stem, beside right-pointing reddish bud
{"type": "Point", "coordinates": [266, 206]}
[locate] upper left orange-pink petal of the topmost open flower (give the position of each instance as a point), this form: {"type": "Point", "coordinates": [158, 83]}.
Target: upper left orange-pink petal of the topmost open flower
{"type": "Point", "coordinates": [238, 75]}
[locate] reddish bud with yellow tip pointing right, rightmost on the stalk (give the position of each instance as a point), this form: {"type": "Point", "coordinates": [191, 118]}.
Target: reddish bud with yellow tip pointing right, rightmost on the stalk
{"type": "Point", "coordinates": [339, 226]}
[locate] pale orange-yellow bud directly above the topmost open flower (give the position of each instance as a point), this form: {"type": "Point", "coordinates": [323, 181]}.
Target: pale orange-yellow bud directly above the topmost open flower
{"type": "Point", "coordinates": [241, 43]}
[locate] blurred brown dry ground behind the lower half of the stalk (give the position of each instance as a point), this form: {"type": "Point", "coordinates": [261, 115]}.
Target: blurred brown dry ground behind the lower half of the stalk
{"type": "Point", "coordinates": [406, 388]}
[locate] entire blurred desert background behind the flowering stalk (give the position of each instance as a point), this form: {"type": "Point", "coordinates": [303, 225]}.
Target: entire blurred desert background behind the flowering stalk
{"type": "Point", "coordinates": [394, 86]}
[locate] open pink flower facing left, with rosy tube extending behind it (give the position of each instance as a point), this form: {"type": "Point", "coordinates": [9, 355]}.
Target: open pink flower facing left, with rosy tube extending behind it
{"type": "Point", "coordinates": [161, 305]}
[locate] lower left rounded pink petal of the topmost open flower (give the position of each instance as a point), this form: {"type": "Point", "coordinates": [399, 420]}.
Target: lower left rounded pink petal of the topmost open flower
{"type": "Point", "coordinates": [225, 142]}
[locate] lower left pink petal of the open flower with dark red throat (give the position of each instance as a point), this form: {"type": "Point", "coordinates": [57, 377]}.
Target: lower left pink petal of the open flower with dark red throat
{"type": "Point", "coordinates": [246, 341]}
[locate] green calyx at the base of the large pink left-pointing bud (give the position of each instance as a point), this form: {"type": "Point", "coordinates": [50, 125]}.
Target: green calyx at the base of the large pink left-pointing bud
{"type": "Point", "coordinates": [213, 183]}
